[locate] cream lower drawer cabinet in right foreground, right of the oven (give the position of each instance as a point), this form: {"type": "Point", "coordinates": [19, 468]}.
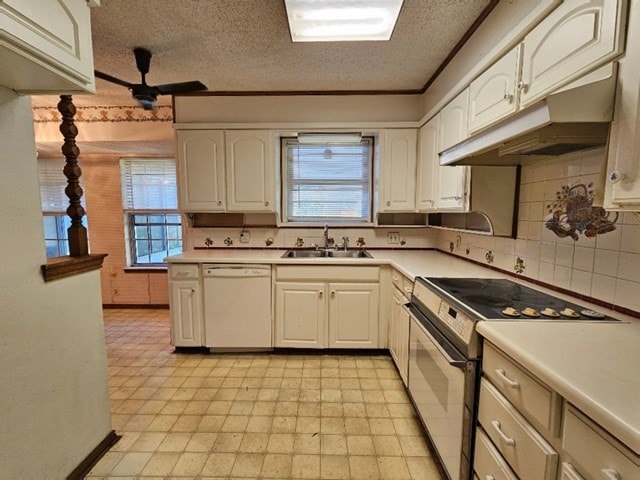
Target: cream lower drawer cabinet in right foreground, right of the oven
{"type": "Point", "coordinates": [564, 444]}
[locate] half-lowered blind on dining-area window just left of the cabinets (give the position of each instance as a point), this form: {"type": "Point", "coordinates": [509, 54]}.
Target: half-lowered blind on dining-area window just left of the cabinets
{"type": "Point", "coordinates": [149, 184]}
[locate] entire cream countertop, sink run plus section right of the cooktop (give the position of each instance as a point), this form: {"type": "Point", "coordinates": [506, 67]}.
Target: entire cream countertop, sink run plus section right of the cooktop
{"type": "Point", "coordinates": [595, 366]}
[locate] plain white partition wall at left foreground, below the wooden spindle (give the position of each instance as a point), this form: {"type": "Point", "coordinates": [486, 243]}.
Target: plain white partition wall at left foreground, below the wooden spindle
{"type": "Point", "coordinates": [54, 400]}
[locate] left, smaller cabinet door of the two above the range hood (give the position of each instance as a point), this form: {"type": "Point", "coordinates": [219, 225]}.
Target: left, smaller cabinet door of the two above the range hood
{"type": "Point", "coordinates": [492, 95]}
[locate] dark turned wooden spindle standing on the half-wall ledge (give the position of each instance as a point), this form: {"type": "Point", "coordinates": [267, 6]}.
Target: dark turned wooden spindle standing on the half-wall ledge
{"type": "Point", "coordinates": [78, 244]}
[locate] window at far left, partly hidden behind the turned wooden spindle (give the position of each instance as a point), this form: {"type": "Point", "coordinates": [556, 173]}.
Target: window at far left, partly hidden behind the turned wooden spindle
{"type": "Point", "coordinates": [54, 206]}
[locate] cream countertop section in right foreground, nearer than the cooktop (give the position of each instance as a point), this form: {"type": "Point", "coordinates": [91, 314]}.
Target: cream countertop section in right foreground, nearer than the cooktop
{"type": "Point", "coordinates": [595, 366]}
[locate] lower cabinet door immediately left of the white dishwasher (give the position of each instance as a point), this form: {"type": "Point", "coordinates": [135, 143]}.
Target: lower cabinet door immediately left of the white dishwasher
{"type": "Point", "coordinates": [186, 313]}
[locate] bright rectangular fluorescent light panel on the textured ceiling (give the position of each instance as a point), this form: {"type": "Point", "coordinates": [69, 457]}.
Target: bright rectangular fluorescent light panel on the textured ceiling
{"type": "Point", "coordinates": [342, 20]}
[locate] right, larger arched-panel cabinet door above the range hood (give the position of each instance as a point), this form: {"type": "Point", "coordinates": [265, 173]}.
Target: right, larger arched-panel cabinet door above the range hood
{"type": "Point", "coordinates": [575, 38]}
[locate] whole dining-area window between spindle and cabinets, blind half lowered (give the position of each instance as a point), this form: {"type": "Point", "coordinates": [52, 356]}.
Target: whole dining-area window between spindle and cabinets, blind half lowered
{"type": "Point", "coordinates": [150, 201]}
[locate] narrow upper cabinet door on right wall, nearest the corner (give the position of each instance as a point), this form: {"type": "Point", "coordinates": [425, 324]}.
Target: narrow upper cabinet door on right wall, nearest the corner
{"type": "Point", "coordinates": [428, 164]}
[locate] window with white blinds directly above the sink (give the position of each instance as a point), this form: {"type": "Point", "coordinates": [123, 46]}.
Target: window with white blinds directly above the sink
{"type": "Point", "coordinates": [327, 181]}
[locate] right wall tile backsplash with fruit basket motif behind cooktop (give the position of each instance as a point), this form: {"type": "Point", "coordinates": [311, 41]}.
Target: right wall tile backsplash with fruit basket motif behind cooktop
{"type": "Point", "coordinates": [587, 251]}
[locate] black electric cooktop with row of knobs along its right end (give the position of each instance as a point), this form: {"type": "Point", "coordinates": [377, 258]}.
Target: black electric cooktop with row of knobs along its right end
{"type": "Point", "coordinates": [503, 299]}
